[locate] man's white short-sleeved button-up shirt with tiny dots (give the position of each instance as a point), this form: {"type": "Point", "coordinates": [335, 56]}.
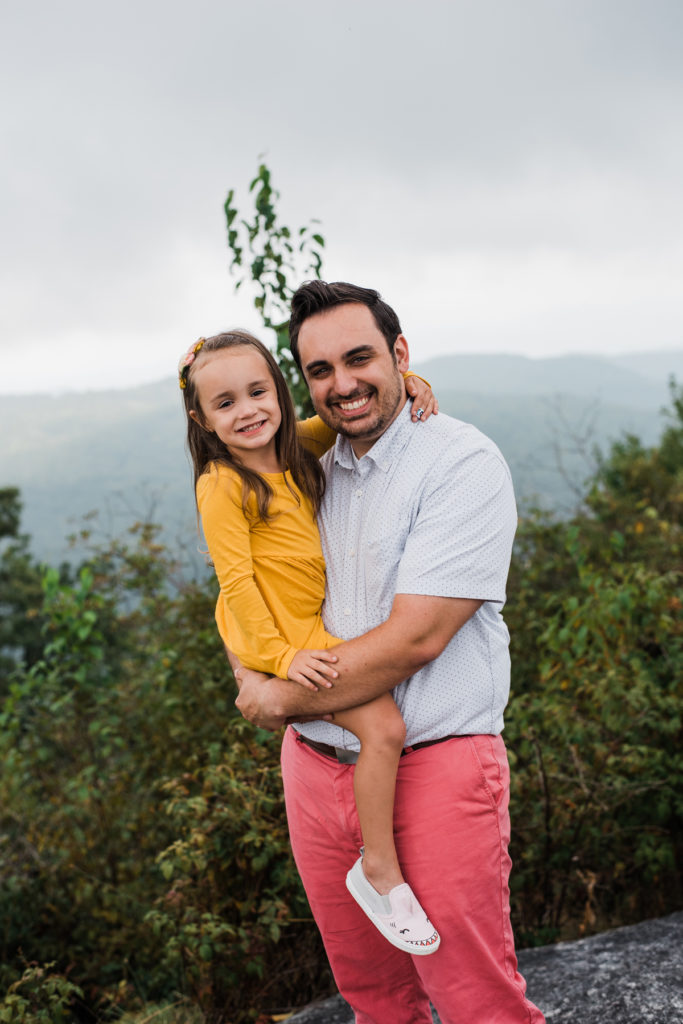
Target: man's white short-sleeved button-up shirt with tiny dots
{"type": "Point", "coordinates": [430, 510]}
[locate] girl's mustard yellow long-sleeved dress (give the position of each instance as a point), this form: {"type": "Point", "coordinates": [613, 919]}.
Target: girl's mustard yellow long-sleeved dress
{"type": "Point", "coordinates": [272, 575]}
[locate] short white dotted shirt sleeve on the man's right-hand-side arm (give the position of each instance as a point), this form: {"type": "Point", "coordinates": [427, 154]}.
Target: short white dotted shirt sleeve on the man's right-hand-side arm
{"type": "Point", "coordinates": [461, 542]}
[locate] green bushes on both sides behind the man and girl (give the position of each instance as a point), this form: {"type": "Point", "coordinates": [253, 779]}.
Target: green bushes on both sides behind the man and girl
{"type": "Point", "coordinates": [144, 852]}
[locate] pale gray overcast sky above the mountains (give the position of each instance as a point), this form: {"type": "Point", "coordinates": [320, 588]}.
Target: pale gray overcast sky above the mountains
{"type": "Point", "coordinates": [508, 175]}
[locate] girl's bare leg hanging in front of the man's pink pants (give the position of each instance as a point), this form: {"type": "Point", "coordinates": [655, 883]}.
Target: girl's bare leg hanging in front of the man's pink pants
{"type": "Point", "coordinates": [381, 731]}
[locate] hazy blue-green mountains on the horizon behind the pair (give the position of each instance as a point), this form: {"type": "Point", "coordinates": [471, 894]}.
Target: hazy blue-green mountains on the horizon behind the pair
{"type": "Point", "coordinates": [123, 452]}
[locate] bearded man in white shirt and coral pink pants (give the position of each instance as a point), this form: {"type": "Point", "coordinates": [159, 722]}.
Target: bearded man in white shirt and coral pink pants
{"type": "Point", "coordinates": [417, 529]}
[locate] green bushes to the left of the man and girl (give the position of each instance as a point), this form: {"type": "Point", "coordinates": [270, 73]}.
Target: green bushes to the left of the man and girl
{"type": "Point", "coordinates": [143, 836]}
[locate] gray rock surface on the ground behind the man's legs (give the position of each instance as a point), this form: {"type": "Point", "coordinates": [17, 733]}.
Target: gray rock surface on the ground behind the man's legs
{"type": "Point", "coordinates": [630, 975]}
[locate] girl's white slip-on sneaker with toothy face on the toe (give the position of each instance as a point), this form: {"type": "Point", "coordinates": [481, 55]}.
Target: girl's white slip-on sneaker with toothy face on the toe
{"type": "Point", "coordinates": [398, 916]}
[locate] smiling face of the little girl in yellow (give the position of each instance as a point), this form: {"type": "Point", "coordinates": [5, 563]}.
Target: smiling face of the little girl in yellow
{"type": "Point", "coordinates": [240, 404]}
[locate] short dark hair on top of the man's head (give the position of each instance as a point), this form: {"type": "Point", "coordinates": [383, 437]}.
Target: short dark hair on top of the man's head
{"type": "Point", "coordinates": [317, 296]}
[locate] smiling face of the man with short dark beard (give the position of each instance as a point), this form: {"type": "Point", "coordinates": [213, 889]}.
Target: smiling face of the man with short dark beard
{"type": "Point", "coordinates": [355, 381]}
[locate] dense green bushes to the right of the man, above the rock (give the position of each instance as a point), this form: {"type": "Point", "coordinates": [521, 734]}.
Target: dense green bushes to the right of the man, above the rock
{"type": "Point", "coordinates": [594, 727]}
